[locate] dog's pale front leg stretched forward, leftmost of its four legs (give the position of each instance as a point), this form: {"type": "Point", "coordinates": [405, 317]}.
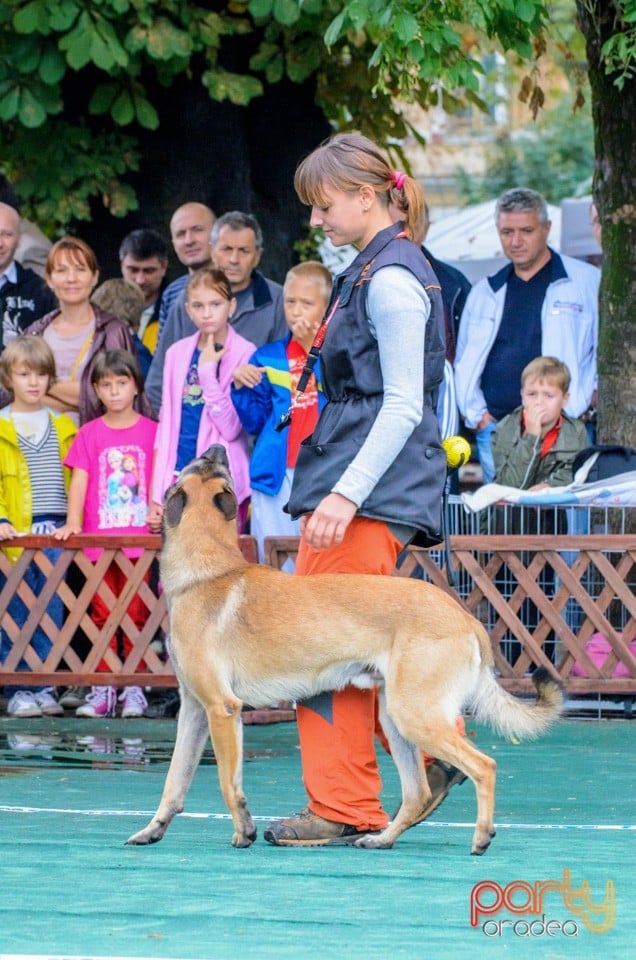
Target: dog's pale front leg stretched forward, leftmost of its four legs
{"type": "Point", "coordinates": [192, 735]}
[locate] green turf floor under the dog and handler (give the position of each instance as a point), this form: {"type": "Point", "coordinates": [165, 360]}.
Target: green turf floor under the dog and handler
{"type": "Point", "coordinates": [72, 790]}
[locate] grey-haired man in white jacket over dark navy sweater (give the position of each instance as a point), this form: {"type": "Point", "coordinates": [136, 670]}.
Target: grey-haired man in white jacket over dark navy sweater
{"type": "Point", "coordinates": [540, 304]}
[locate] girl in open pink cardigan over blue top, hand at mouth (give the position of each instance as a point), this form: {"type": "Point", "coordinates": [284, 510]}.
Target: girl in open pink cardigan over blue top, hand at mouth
{"type": "Point", "coordinates": [196, 408]}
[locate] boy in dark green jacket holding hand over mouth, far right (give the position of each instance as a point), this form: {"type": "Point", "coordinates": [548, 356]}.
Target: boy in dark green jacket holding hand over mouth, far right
{"type": "Point", "coordinates": [534, 446]}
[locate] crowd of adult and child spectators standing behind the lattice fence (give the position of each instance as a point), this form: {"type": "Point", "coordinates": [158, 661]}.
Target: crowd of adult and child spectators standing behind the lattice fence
{"type": "Point", "coordinates": [108, 390]}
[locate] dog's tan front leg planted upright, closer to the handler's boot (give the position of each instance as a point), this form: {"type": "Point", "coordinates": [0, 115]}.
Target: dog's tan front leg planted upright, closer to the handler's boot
{"type": "Point", "coordinates": [226, 730]}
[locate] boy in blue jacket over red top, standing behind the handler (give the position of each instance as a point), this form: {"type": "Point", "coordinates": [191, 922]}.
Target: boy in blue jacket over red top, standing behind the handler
{"type": "Point", "coordinates": [264, 389]}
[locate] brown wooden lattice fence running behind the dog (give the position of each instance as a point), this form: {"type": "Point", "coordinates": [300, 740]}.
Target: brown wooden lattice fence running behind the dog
{"type": "Point", "coordinates": [541, 597]}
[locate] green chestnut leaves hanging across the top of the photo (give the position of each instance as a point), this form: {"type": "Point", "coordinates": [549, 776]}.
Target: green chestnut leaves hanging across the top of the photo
{"type": "Point", "coordinates": [80, 81]}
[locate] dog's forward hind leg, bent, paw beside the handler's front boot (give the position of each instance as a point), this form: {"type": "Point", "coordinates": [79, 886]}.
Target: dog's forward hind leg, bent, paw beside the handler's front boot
{"type": "Point", "coordinates": [415, 789]}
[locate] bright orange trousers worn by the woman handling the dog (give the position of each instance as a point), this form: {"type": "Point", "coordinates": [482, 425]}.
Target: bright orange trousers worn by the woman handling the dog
{"type": "Point", "coordinates": [336, 729]}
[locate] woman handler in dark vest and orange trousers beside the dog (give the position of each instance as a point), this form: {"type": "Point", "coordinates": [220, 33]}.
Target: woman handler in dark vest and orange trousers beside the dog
{"type": "Point", "coordinates": [369, 480]}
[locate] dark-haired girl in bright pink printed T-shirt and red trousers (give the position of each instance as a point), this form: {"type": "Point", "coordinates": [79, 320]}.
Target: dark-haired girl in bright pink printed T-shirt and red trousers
{"type": "Point", "coordinates": [111, 460]}
